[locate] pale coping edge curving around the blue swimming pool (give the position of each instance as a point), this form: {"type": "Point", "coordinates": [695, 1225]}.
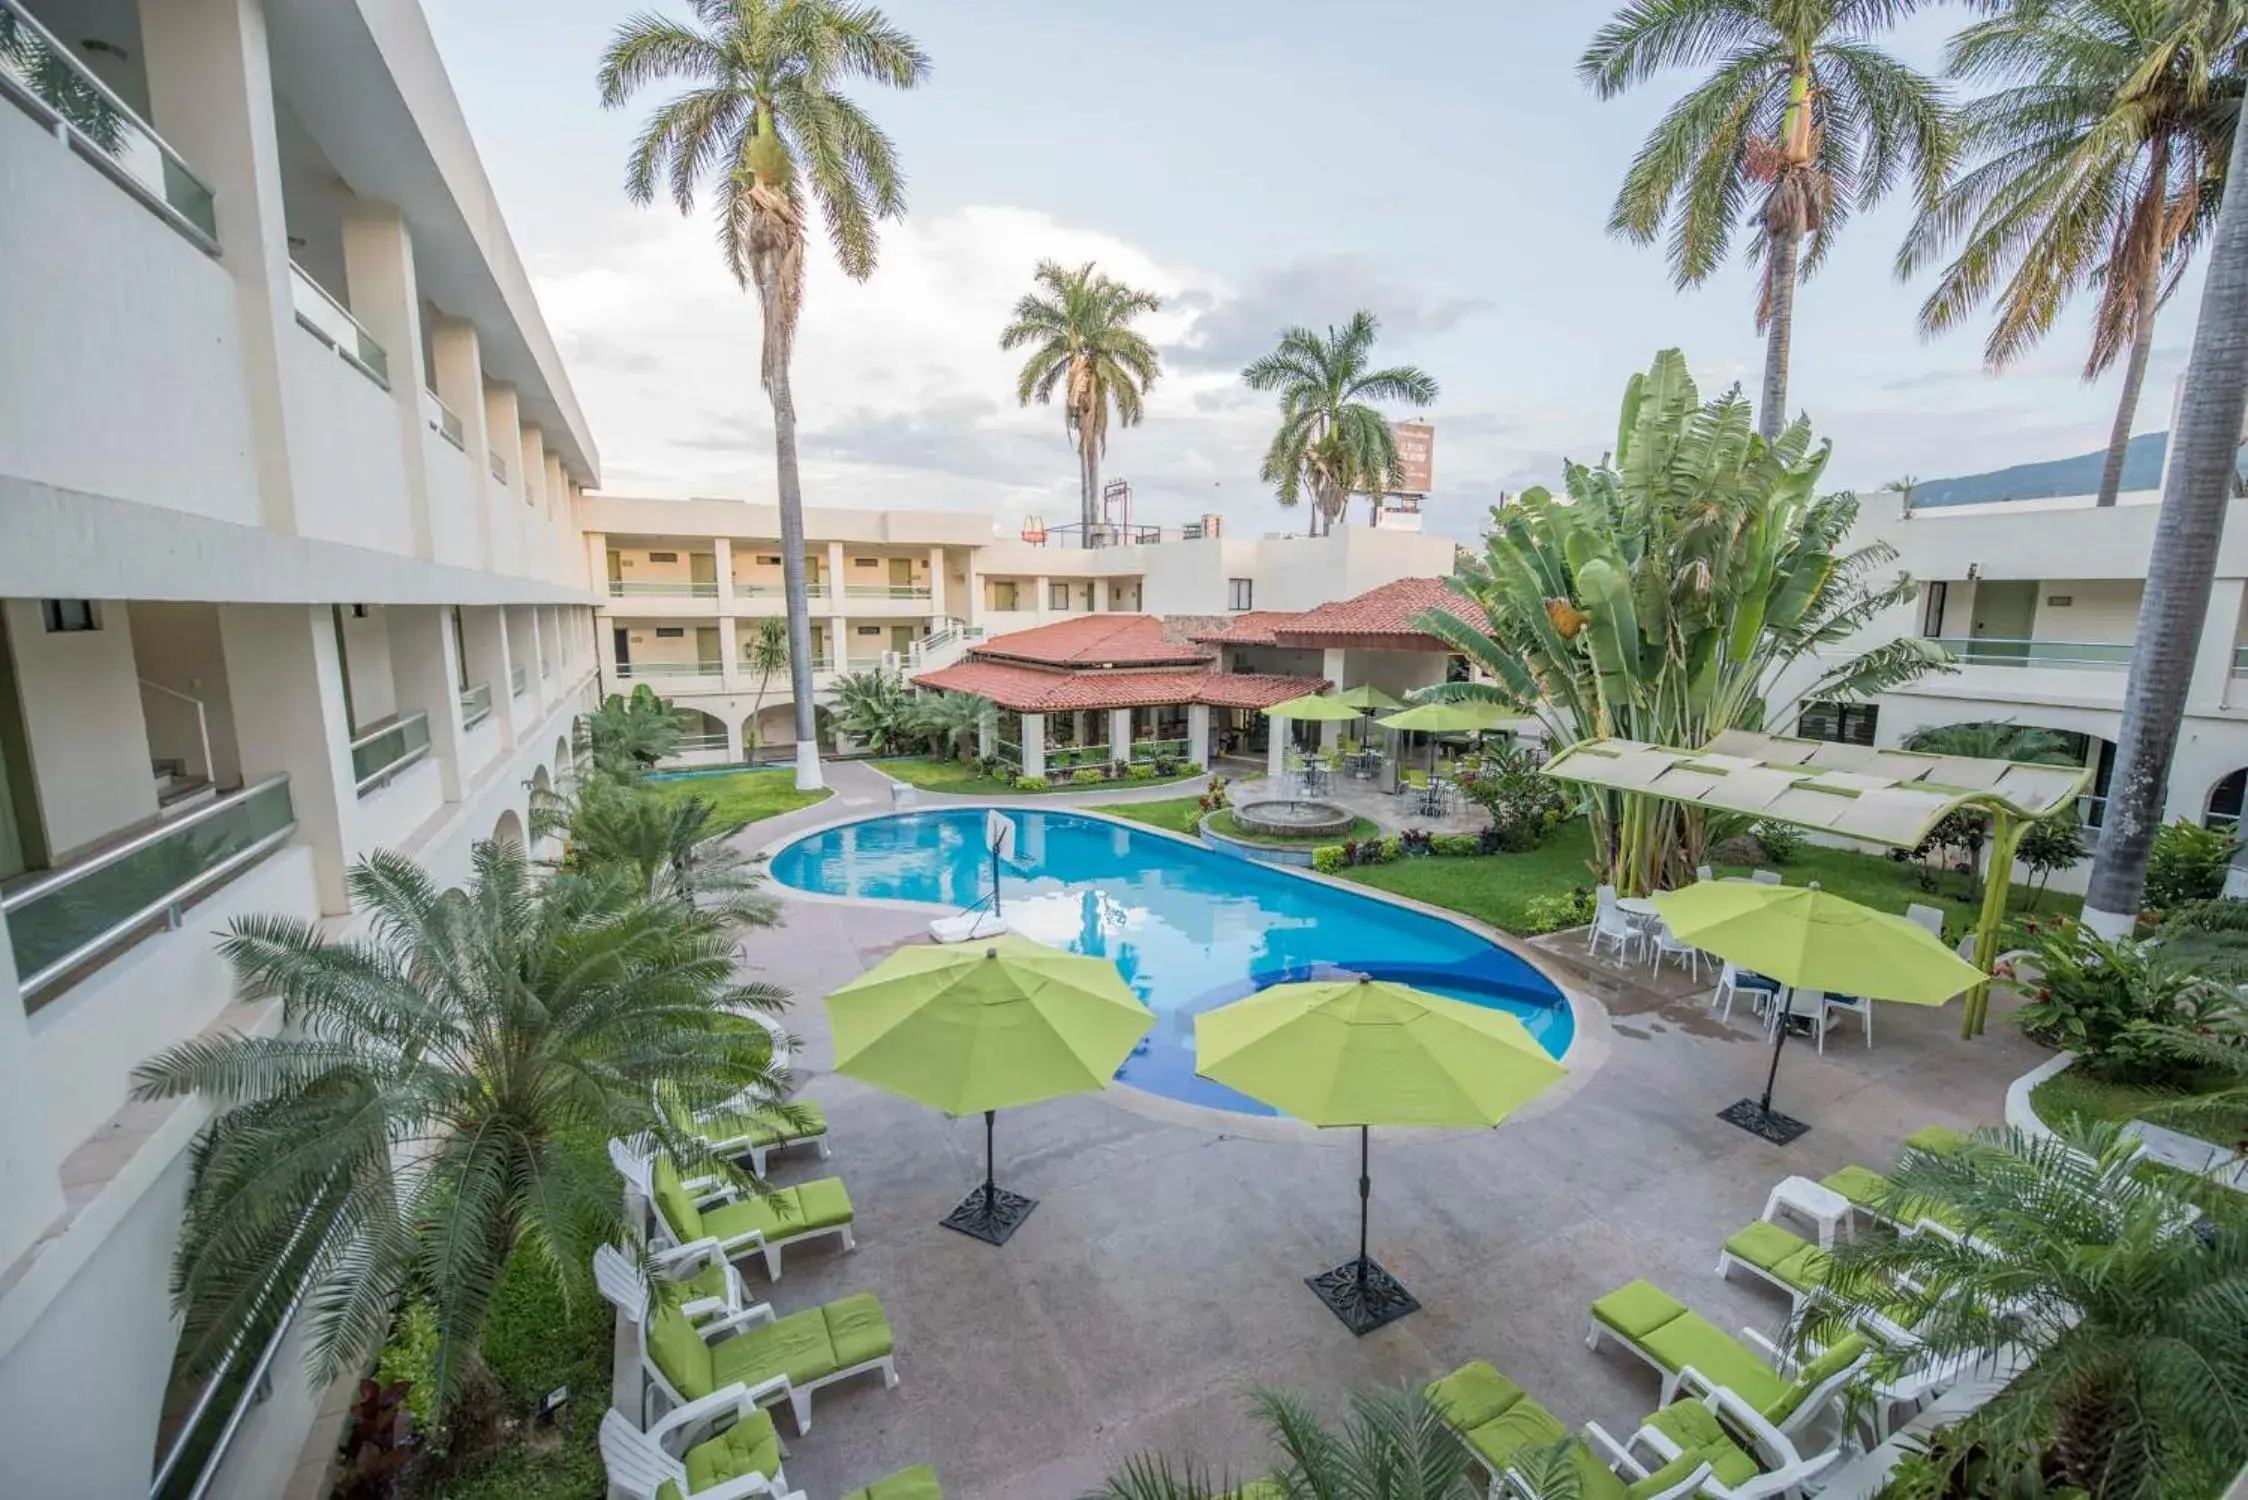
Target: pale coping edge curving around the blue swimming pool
{"type": "Point", "coordinates": [1593, 1036]}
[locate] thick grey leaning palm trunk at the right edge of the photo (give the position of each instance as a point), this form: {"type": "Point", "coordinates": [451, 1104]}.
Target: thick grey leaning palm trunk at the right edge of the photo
{"type": "Point", "coordinates": [2195, 494]}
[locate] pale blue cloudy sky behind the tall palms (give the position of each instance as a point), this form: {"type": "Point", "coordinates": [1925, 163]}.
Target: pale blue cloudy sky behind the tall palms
{"type": "Point", "coordinates": [1258, 165]}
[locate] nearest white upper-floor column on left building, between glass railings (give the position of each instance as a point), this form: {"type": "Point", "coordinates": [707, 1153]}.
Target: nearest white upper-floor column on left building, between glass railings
{"type": "Point", "coordinates": [210, 91]}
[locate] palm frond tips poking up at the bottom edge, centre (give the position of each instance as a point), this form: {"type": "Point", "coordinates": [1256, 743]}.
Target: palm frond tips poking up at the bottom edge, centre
{"type": "Point", "coordinates": [1393, 1447]}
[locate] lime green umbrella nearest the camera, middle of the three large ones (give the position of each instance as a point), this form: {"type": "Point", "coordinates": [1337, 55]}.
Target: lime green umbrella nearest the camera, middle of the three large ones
{"type": "Point", "coordinates": [1363, 1051]}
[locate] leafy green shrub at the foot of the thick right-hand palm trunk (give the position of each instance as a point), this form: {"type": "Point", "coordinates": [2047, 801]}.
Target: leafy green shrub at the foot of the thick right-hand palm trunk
{"type": "Point", "coordinates": [2112, 1002]}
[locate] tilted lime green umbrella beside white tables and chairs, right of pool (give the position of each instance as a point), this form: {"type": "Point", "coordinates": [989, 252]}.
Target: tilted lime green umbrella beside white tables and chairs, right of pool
{"type": "Point", "coordinates": [1811, 939]}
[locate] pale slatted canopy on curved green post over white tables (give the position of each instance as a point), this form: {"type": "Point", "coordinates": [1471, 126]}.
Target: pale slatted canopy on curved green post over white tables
{"type": "Point", "coordinates": [1851, 790]}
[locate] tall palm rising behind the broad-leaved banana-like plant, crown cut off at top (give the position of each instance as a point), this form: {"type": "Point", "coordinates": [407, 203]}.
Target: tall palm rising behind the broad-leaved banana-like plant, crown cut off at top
{"type": "Point", "coordinates": [1802, 125]}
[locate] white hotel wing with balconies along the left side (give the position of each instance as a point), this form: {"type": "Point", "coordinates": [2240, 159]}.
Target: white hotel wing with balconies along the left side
{"type": "Point", "coordinates": [287, 572]}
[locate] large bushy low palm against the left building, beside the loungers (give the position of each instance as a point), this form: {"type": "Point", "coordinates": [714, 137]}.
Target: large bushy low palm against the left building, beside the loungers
{"type": "Point", "coordinates": [424, 1110]}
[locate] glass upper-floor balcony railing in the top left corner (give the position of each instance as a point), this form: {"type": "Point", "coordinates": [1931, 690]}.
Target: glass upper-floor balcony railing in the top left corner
{"type": "Point", "coordinates": [60, 91]}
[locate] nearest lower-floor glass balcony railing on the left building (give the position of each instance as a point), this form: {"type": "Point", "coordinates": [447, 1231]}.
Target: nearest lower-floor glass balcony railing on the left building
{"type": "Point", "coordinates": [69, 919]}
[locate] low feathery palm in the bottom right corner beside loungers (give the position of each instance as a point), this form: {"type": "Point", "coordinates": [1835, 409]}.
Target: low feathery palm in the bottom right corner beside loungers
{"type": "Point", "coordinates": [2132, 1314]}
